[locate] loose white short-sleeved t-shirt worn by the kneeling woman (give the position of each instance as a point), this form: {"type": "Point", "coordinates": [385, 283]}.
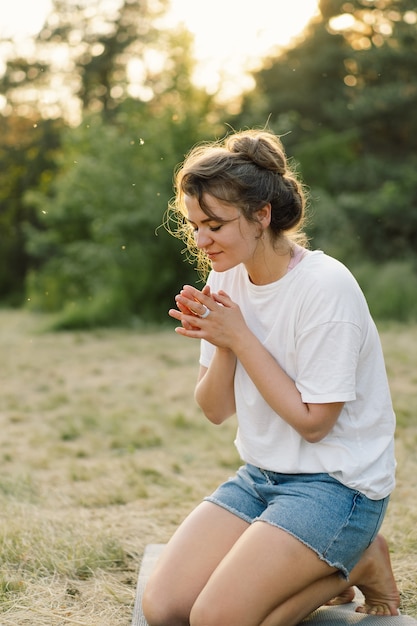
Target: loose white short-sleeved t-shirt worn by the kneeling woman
{"type": "Point", "coordinates": [316, 323]}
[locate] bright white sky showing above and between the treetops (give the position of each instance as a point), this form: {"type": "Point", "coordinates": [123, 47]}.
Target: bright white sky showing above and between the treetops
{"type": "Point", "coordinates": [231, 36]}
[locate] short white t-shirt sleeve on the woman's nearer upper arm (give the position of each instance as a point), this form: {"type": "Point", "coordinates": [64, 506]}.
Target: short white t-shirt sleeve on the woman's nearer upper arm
{"type": "Point", "coordinates": [334, 318]}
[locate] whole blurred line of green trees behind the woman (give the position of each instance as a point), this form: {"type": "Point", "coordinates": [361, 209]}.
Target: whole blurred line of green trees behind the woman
{"type": "Point", "coordinates": [97, 116]}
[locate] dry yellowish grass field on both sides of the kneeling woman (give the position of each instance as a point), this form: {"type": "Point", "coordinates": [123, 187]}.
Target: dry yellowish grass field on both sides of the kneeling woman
{"type": "Point", "coordinates": [103, 450]}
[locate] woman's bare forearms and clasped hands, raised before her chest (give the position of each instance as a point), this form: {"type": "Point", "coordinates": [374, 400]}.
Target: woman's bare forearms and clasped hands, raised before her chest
{"type": "Point", "coordinates": [225, 328]}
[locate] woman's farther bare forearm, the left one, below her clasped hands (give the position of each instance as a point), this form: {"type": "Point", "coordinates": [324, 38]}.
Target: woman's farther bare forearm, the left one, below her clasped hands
{"type": "Point", "coordinates": [214, 392]}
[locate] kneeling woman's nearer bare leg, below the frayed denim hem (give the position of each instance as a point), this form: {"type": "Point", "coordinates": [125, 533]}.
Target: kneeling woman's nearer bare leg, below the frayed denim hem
{"type": "Point", "coordinates": [269, 578]}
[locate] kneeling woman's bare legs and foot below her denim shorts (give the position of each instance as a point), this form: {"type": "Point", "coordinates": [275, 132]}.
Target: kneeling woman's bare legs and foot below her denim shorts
{"type": "Point", "coordinates": [219, 570]}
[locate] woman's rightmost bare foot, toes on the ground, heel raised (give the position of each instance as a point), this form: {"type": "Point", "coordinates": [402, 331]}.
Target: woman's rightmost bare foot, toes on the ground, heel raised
{"type": "Point", "coordinates": [373, 576]}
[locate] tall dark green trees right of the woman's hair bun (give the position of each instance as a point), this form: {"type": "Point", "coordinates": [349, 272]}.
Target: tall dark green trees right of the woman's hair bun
{"type": "Point", "coordinates": [345, 99]}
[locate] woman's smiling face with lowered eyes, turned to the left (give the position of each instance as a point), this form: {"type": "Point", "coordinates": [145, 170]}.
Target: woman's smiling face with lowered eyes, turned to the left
{"type": "Point", "coordinates": [227, 240]}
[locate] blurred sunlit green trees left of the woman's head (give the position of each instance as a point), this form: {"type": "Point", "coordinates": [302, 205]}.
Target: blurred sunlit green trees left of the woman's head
{"type": "Point", "coordinates": [51, 232]}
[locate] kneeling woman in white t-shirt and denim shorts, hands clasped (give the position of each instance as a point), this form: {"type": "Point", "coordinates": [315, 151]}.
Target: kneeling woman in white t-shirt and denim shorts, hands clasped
{"type": "Point", "coordinates": [288, 345]}
